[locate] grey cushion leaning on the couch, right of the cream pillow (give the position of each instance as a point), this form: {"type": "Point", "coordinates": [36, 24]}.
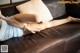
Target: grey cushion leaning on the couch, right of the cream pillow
{"type": "Point", "coordinates": [56, 9]}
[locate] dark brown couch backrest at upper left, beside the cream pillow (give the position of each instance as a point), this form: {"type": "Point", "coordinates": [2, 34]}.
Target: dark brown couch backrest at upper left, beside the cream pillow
{"type": "Point", "coordinates": [9, 10]}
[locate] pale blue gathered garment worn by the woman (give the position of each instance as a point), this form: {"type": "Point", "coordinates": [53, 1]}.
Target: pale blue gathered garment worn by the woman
{"type": "Point", "coordinates": [8, 31]}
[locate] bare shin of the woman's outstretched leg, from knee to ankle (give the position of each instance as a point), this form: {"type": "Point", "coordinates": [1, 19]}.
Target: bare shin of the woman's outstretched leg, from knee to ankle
{"type": "Point", "coordinates": [59, 22]}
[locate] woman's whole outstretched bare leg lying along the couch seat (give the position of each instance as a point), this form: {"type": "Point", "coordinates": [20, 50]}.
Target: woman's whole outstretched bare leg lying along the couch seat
{"type": "Point", "coordinates": [39, 27]}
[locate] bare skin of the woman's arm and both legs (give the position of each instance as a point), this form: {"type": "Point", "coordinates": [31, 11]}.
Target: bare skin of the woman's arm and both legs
{"type": "Point", "coordinates": [30, 22]}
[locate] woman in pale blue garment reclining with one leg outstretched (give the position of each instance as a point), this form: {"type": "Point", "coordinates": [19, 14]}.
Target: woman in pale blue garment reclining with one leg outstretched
{"type": "Point", "coordinates": [21, 24]}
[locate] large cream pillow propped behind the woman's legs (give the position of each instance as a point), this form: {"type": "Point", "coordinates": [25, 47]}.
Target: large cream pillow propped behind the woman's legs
{"type": "Point", "coordinates": [38, 8]}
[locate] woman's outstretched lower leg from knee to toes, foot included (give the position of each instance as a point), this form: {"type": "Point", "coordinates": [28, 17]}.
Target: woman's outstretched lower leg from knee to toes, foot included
{"type": "Point", "coordinates": [62, 21]}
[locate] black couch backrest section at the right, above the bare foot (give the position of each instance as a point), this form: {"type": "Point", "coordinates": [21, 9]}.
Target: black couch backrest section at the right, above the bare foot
{"type": "Point", "coordinates": [73, 10]}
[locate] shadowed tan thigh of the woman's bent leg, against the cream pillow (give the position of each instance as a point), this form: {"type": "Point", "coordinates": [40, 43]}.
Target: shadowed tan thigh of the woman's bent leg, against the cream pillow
{"type": "Point", "coordinates": [25, 17]}
